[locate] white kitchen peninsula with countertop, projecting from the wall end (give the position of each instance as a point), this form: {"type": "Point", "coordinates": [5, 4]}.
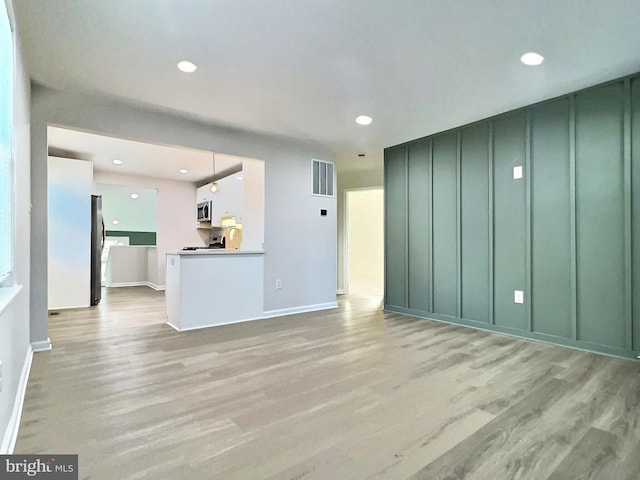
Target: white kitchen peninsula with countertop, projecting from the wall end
{"type": "Point", "coordinates": [213, 287]}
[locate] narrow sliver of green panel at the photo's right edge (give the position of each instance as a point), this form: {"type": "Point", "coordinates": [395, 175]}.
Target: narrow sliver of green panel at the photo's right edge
{"type": "Point", "coordinates": [635, 206]}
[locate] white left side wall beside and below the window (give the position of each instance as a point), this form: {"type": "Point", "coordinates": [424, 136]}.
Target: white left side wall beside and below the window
{"type": "Point", "coordinates": [15, 351]}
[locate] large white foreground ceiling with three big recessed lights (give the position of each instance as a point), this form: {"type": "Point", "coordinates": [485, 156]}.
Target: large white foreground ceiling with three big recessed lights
{"type": "Point", "coordinates": [307, 68]}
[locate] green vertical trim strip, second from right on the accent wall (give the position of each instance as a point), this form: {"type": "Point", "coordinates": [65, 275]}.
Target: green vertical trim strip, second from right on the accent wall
{"type": "Point", "coordinates": [572, 218]}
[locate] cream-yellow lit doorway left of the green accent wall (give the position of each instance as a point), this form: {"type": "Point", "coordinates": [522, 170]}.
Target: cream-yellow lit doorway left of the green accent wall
{"type": "Point", "coordinates": [365, 241]}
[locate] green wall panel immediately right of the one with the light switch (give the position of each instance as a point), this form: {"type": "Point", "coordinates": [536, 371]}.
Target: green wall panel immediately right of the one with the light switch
{"type": "Point", "coordinates": [551, 291]}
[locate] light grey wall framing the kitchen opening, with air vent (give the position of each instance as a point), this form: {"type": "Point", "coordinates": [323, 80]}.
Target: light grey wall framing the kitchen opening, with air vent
{"type": "Point", "coordinates": [300, 244]}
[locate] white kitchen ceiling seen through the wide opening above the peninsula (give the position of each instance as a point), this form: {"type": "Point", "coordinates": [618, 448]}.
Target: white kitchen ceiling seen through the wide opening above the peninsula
{"type": "Point", "coordinates": [159, 161]}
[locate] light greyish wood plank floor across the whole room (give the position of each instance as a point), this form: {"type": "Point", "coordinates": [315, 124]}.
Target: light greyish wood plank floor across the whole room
{"type": "Point", "coordinates": [351, 393]}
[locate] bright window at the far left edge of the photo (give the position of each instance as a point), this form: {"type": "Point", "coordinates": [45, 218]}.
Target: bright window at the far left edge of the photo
{"type": "Point", "coordinates": [6, 145]}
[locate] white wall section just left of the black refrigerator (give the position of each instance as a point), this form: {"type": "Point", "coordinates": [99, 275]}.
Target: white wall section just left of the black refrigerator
{"type": "Point", "coordinates": [69, 235]}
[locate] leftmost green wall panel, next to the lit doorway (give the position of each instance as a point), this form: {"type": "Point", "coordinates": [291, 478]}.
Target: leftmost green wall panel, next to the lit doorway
{"type": "Point", "coordinates": [395, 178]}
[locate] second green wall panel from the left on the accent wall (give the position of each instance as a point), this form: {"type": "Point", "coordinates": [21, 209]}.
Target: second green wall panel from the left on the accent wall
{"type": "Point", "coordinates": [419, 226]}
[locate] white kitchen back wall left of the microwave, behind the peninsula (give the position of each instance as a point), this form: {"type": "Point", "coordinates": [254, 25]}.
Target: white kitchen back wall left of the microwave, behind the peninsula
{"type": "Point", "coordinates": [176, 223]}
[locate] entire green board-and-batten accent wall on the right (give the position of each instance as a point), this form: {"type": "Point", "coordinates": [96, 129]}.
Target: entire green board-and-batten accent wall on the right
{"type": "Point", "coordinates": [462, 234]}
